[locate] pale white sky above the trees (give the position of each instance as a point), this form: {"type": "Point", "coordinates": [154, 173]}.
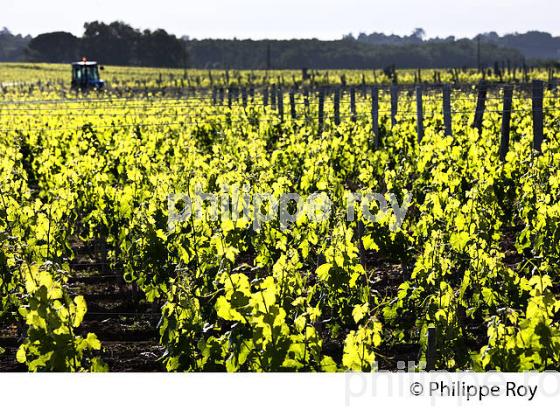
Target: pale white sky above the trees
{"type": "Point", "coordinates": [323, 19]}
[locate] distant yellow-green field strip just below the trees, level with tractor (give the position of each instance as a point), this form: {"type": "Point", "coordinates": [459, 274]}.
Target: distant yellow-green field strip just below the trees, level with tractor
{"type": "Point", "coordinates": [137, 76]}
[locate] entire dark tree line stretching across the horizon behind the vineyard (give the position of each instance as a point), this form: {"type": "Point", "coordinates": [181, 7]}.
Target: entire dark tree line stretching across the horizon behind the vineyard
{"type": "Point", "coordinates": [118, 43]}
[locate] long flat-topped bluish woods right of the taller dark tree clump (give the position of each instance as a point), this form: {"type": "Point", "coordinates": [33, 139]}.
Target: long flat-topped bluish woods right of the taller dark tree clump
{"type": "Point", "coordinates": [340, 54]}
